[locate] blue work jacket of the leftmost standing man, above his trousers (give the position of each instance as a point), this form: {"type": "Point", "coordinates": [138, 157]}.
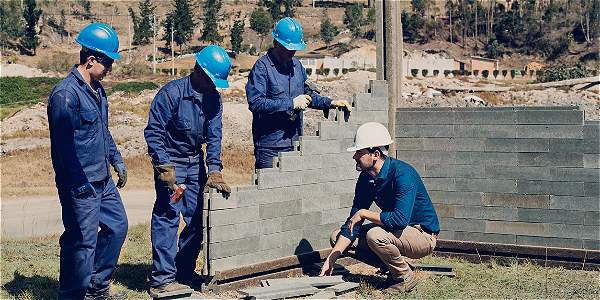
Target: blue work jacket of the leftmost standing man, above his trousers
{"type": "Point", "coordinates": [82, 147]}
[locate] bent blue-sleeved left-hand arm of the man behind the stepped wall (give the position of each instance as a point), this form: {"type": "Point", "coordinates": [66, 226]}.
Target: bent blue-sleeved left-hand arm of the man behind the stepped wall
{"type": "Point", "coordinates": [256, 93]}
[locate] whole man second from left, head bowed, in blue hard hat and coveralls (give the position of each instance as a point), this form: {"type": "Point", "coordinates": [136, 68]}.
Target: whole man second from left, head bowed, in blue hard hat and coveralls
{"type": "Point", "coordinates": [185, 114]}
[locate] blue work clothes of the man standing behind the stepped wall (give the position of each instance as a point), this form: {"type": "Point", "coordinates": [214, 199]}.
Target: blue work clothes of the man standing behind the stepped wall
{"type": "Point", "coordinates": [270, 91]}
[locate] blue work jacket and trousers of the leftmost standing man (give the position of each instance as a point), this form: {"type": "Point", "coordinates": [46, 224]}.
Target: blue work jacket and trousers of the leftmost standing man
{"type": "Point", "coordinates": [82, 151]}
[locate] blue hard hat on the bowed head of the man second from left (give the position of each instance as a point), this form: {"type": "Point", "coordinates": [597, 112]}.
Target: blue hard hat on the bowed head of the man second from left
{"type": "Point", "coordinates": [216, 64]}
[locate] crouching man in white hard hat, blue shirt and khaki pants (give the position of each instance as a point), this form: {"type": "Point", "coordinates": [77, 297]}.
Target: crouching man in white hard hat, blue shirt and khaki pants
{"type": "Point", "coordinates": [407, 225]}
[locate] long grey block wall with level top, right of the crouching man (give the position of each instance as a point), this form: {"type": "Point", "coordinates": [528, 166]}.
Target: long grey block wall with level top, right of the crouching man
{"type": "Point", "coordinates": [522, 175]}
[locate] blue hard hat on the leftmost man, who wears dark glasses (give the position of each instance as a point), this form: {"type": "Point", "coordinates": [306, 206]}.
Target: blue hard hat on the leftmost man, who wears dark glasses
{"type": "Point", "coordinates": [100, 37]}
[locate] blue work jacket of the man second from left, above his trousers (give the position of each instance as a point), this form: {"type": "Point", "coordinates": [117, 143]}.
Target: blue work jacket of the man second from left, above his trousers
{"type": "Point", "coordinates": [181, 120]}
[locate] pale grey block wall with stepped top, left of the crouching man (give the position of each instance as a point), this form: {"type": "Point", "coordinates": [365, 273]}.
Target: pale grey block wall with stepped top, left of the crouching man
{"type": "Point", "coordinates": [292, 208]}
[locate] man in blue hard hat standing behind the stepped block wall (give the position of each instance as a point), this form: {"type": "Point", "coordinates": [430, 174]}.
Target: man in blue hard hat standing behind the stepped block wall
{"type": "Point", "coordinates": [277, 95]}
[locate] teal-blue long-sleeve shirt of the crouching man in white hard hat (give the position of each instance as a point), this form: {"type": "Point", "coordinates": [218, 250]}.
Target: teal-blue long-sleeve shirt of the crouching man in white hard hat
{"type": "Point", "coordinates": [400, 193]}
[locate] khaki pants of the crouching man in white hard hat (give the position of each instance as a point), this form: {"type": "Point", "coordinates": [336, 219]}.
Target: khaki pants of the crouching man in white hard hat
{"type": "Point", "coordinates": [379, 247]}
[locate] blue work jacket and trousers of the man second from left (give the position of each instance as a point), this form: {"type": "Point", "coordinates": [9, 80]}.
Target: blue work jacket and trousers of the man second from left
{"type": "Point", "coordinates": [180, 121]}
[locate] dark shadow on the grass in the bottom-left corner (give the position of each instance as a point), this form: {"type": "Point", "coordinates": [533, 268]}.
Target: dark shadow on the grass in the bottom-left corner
{"type": "Point", "coordinates": [34, 287]}
